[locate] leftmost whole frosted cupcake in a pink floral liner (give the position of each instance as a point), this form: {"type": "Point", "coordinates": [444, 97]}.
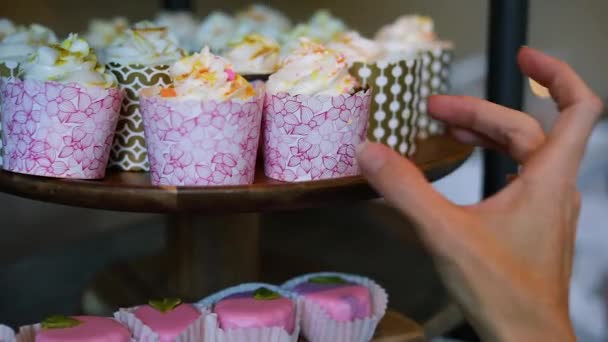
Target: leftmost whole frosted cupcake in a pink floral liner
{"type": "Point", "coordinates": [59, 118]}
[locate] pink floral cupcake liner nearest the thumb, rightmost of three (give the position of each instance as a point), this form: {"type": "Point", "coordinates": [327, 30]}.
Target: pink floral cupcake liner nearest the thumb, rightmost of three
{"type": "Point", "coordinates": [313, 137]}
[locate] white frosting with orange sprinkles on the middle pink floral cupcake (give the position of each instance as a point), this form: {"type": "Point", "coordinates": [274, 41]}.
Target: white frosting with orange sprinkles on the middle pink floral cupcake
{"type": "Point", "coordinates": [205, 76]}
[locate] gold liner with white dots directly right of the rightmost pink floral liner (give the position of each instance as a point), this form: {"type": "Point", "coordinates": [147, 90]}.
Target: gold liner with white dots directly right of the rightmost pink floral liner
{"type": "Point", "coordinates": [395, 102]}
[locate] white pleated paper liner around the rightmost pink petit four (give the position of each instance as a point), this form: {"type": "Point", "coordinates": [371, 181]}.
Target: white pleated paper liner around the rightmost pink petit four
{"type": "Point", "coordinates": [317, 326]}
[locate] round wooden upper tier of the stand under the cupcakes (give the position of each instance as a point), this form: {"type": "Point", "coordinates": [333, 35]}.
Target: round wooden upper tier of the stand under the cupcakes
{"type": "Point", "coordinates": [124, 191]}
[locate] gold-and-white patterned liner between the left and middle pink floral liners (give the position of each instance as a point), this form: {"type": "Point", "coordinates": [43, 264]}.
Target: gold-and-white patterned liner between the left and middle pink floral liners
{"type": "Point", "coordinates": [129, 152]}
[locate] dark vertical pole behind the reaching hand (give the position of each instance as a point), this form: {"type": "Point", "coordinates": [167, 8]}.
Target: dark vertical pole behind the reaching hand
{"type": "Point", "coordinates": [508, 32]}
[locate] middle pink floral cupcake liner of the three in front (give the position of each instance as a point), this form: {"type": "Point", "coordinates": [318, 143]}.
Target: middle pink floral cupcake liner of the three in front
{"type": "Point", "coordinates": [201, 143]}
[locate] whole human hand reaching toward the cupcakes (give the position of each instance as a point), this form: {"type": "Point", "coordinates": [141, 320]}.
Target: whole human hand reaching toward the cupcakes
{"type": "Point", "coordinates": [507, 260]}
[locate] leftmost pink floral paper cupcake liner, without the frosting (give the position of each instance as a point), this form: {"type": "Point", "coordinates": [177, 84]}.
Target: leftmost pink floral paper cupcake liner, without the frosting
{"type": "Point", "coordinates": [58, 130]}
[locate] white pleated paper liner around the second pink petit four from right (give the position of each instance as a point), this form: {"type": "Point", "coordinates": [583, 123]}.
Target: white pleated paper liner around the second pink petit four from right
{"type": "Point", "coordinates": [213, 332]}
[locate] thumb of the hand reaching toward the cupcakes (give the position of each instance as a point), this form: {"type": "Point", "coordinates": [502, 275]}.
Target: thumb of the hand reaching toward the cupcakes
{"type": "Point", "coordinates": [402, 184]}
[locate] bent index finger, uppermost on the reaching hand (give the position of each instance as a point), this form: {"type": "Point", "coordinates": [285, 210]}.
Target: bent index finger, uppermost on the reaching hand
{"type": "Point", "coordinates": [580, 110]}
